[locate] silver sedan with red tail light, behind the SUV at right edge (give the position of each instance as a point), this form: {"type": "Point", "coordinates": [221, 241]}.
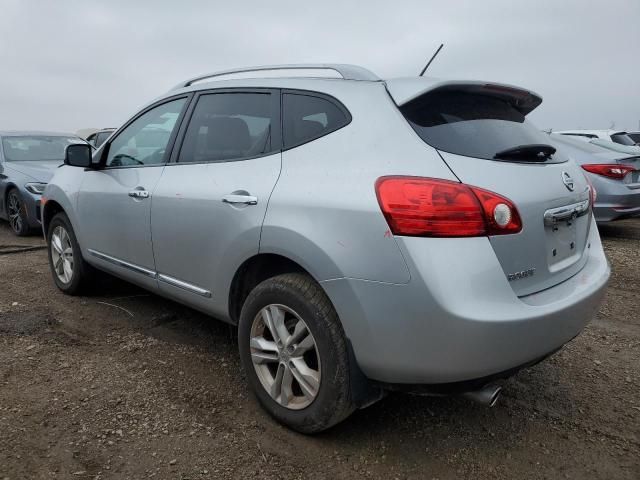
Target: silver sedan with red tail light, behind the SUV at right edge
{"type": "Point", "coordinates": [615, 176]}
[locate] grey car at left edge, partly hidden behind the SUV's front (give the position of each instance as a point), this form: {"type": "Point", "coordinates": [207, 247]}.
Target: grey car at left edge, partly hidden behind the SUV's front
{"type": "Point", "coordinates": [27, 162]}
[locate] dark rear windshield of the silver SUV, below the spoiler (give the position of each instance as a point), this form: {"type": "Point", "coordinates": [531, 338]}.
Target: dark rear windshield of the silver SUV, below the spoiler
{"type": "Point", "coordinates": [471, 124]}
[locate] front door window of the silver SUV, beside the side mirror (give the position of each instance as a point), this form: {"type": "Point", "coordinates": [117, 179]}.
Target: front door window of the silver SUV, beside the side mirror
{"type": "Point", "coordinates": [145, 140]}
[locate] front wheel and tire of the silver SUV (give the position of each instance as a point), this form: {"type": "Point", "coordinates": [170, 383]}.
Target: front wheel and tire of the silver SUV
{"type": "Point", "coordinates": [70, 272]}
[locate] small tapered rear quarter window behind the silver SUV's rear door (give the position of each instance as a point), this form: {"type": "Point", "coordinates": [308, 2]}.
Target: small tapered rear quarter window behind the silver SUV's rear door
{"type": "Point", "coordinates": [308, 117]}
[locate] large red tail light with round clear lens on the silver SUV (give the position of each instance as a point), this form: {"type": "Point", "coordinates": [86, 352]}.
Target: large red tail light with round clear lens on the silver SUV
{"type": "Point", "coordinates": [428, 207]}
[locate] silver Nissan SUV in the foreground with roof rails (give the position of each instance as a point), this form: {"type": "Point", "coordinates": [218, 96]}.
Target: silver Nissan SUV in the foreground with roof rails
{"type": "Point", "coordinates": [363, 235]}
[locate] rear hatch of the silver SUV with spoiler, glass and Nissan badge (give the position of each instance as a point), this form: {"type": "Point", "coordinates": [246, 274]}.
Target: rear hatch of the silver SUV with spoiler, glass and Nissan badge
{"type": "Point", "coordinates": [476, 128]}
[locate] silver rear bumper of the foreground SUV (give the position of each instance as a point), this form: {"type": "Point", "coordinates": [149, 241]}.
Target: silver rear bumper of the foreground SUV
{"type": "Point", "coordinates": [458, 318]}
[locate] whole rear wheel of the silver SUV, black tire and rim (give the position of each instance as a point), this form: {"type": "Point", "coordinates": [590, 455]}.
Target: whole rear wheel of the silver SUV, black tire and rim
{"type": "Point", "coordinates": [294, 353]}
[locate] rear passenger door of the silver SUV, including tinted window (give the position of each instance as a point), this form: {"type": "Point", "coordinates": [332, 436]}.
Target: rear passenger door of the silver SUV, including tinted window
{"type": "Point", "coordinates": [210, 203]}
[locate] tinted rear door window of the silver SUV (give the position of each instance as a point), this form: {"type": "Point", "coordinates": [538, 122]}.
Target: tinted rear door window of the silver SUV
{"type": "Point", "coordinates": [229, 126]}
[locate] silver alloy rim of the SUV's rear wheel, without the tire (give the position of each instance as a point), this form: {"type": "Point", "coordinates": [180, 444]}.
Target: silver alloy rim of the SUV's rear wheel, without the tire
{"type": "Point", "coordinates": [285, 356]}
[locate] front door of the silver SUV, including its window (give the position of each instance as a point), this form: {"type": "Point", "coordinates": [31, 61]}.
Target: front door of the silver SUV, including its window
{"type": "Point", "coordinates": [114, 203]}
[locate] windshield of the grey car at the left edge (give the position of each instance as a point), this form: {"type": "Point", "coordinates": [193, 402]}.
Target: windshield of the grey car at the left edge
{"type": "Point", "coordinates": [32, 148]}
